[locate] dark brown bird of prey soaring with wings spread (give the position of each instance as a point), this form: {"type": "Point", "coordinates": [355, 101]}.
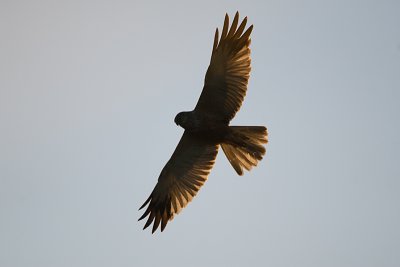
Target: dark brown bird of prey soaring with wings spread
{"type": "Point", "coordinates": [207, 127]}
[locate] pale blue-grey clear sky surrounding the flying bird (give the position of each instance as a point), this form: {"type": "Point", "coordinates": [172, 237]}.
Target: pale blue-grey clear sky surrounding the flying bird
{"type": "Point", "coordinates": [88, 94]}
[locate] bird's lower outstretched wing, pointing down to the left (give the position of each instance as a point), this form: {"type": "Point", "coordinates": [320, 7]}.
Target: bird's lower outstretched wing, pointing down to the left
{"type": "Point", "coordinates": [180, 180]}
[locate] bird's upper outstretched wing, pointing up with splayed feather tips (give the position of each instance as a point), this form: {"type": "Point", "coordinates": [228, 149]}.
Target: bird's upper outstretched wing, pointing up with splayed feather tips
{"type": "Point", "coordinates": [227, 76]}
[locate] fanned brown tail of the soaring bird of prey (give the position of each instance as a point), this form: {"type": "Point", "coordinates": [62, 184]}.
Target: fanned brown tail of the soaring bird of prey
{"type": "Point", "coordinates": [244, 146]}
